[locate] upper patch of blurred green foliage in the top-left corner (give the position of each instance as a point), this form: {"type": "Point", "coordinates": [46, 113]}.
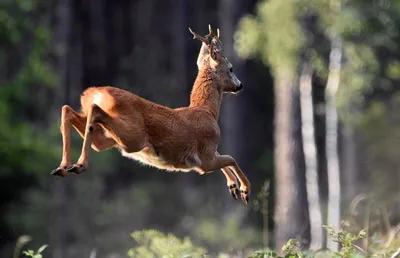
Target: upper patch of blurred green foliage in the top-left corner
{"type": "Point", "coordinates": [21, 25]}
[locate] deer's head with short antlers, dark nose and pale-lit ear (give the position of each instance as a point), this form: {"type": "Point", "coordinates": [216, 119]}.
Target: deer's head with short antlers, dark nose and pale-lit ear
{"type": "Point", "coordinates": [211, 57]}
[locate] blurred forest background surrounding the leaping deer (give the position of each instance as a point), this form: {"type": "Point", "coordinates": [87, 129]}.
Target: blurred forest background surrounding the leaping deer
{"type": "Point", "coordinates": [316, 129]}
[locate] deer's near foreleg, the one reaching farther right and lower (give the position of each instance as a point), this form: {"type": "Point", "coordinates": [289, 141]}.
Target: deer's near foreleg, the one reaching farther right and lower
{"type": "Point", "coordinates": [223, 161]}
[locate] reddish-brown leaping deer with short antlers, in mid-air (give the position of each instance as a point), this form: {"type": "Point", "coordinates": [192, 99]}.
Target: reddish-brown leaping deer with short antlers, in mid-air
{"type": "Point", "coordinates": [181, 139]}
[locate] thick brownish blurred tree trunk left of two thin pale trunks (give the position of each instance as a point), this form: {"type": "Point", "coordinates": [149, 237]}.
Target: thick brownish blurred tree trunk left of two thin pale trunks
{"type": "Point", "coordinates": [291, 213]}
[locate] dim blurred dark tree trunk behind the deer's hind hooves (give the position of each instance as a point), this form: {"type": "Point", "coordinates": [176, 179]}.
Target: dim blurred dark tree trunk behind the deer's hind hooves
{"type": "Point", "coordinates": [59, 224]}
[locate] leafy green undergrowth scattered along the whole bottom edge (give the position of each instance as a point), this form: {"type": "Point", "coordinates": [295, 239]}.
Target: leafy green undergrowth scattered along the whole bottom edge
{"type": "Point", "coordinates": [153, 244]}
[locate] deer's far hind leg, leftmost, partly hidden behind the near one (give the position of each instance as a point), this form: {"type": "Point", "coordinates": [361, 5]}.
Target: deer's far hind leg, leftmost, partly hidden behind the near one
{"type": "Point", "coordinates": [70, 117]}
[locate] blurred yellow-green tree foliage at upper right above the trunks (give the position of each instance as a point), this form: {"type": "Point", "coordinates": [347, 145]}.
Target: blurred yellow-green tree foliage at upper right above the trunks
{"type": "Point", "coordinates": [368, 31]}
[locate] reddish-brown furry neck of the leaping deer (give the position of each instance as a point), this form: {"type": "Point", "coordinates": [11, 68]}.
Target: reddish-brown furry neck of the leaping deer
{"type": "Point", "coordinates": [206, 93]}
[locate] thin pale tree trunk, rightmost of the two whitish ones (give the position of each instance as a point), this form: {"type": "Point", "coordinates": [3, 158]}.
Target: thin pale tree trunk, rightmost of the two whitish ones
{"type": "Point", "coordinates": [332, 158]}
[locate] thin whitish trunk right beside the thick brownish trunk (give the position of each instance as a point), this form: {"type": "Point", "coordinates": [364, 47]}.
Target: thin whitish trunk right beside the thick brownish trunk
{"type": "Point", "coordinates": [310, 155]}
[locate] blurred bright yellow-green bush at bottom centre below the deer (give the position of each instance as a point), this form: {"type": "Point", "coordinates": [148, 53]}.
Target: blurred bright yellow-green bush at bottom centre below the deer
{"type": "Point", "coordinates": [152, 243]}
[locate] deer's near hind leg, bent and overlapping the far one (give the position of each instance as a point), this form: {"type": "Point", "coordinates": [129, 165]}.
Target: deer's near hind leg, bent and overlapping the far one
{"type": "Point", "coordinates": [98, 119]}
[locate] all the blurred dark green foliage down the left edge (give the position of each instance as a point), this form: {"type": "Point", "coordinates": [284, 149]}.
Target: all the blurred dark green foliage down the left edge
{"type": "Point", "coordinates": [19, 138]}
